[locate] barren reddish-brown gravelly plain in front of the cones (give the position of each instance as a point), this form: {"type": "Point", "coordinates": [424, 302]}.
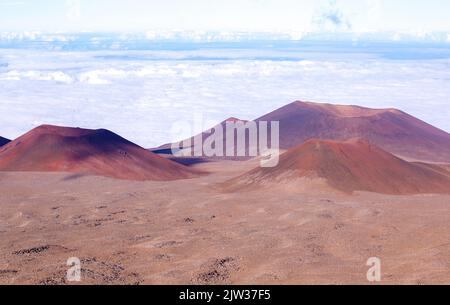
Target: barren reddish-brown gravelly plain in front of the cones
{"type": "Point", "coordinates": [190, 232]}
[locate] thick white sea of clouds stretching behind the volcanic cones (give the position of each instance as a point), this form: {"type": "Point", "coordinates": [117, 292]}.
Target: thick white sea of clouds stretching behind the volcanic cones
{"type": "Point", "coordinates": [142, 94]}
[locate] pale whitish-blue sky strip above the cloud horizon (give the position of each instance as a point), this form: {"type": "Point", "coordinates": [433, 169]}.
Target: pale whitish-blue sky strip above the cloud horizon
{"type": "Point", "coordinates": [228, 15]}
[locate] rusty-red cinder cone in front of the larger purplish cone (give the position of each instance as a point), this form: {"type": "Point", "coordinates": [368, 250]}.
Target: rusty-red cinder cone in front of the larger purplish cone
{"type": "Point", "coordinates": [351, 166]}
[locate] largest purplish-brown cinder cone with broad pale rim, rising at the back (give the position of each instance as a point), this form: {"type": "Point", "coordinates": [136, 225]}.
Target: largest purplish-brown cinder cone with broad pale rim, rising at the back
{"type": "Point", "coordinates": [390, 129]}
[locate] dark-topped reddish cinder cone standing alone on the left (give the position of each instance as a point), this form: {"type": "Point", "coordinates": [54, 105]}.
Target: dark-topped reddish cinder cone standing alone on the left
{"type": "Point", "coordinates": [99, 152]}
